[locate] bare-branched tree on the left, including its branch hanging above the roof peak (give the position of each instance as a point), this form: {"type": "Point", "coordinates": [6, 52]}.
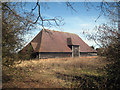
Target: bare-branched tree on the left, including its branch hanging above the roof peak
{"type": "Point", "coordinates": [18, 21]}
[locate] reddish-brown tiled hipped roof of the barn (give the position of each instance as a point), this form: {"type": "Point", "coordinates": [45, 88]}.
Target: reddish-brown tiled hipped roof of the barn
{"type": "Point", "coordinates": [56, 41]}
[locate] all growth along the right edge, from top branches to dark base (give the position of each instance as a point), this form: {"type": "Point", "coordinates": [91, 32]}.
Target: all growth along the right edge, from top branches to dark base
{"type": "Point", "coordinates": [107, 36]}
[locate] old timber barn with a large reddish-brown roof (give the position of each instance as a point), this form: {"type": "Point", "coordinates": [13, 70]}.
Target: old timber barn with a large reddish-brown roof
{"type": "Point", "coordinates": [53, 44]}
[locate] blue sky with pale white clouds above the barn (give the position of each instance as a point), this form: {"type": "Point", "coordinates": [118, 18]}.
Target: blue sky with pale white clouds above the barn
{"type": "Point", "coordinates": [75, 22]}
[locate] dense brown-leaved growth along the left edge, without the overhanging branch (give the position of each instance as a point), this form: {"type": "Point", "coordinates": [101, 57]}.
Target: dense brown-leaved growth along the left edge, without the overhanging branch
{"type": "Point", "coordinates": [14, 26]}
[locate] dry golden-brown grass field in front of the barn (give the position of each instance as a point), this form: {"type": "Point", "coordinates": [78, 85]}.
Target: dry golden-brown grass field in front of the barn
{"type": "Point", "coordinates": [83, 72]}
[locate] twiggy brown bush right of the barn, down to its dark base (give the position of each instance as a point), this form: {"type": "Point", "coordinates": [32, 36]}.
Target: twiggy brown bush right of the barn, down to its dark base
{"type": "Point", "coordinates": [109, 41]}
